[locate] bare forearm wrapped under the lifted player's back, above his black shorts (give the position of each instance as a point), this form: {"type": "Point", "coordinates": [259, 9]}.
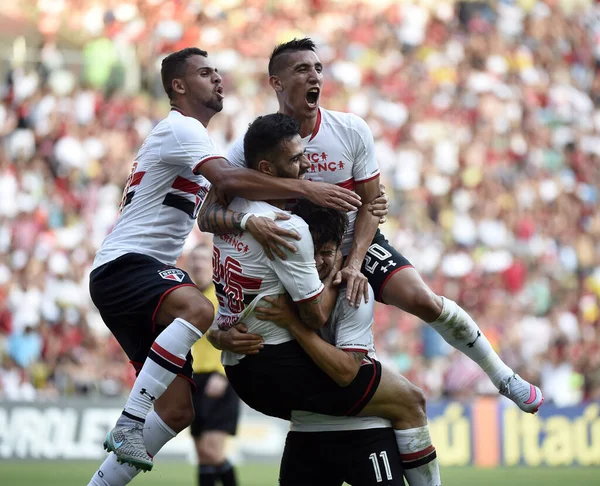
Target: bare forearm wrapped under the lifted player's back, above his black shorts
{"type": "Point", "coordinates": [341, 366]}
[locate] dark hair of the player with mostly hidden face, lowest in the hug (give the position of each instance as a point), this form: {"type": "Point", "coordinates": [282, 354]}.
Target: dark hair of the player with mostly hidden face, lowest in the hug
{"type": "Point", "coordinates": [325, 225]}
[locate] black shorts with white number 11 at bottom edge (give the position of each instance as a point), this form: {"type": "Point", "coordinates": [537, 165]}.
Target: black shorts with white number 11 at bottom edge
{"type": "Point", "coordinates": [357, 457]}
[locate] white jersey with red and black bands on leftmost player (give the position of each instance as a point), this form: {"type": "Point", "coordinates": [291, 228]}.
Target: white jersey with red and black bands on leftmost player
{"type": "Point", "coordinates": [163, 193]}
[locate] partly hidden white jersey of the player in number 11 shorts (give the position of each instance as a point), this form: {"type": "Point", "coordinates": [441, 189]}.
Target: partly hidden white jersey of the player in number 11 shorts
{"type": "Point", "coordinates": [350, 329]}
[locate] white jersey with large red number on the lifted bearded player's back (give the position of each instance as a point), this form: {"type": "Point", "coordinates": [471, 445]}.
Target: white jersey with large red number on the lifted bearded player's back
{"type": "Point", "coordinates": [243, 275]}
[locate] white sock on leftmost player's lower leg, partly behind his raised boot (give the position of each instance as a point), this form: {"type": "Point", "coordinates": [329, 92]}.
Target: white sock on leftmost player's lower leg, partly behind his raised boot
{"type": "Point", "coordinates": [111, 473]}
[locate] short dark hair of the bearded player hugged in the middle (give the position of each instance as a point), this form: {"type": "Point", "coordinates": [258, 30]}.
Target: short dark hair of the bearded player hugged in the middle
{"type": "Point", "coordinates": [265, 134]}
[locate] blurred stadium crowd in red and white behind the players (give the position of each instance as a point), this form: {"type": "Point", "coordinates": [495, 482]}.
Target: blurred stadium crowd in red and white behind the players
{"type": "Point", "coordinates": [486, 117]}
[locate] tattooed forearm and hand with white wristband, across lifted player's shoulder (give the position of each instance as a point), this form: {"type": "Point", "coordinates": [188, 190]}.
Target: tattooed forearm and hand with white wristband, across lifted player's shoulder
{"type": "Point", "coordinates": [216, 218]}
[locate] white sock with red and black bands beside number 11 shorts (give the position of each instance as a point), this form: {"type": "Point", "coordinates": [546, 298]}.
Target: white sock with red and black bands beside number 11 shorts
{"type": "Point", "coordinates": [418, 457]}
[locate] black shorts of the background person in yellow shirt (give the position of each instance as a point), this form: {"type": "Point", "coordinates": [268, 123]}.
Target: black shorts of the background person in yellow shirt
{"type": "Point", "coordinates": [214, 413]}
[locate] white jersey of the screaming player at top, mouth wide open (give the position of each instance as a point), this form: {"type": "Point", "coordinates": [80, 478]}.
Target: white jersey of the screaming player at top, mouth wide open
{"type": "Point", "coordinates": [341, 151]}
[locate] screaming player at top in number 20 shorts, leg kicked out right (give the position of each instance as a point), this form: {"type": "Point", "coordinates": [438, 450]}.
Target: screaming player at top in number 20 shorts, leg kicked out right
{"type": "Point", "coordinates": [340, 148]}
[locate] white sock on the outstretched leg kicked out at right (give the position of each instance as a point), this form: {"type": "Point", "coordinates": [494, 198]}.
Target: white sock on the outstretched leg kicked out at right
{"type": "Point", "coordinates": [461, 332]}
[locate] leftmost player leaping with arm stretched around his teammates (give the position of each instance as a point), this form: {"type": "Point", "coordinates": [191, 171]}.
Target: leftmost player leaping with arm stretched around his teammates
{"type": "Point", "coordinates": [153, 308]}
